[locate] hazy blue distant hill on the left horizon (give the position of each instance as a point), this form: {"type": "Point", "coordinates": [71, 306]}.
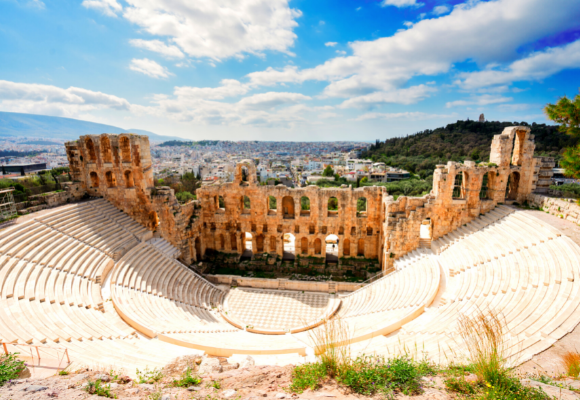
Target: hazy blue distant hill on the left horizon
{"type": "Point", "coordinates": [43, 126]}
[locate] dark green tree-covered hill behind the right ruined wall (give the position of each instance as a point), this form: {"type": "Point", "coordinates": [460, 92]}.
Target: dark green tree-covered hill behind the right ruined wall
{"type": "Point", "coordinates": [463, 140]}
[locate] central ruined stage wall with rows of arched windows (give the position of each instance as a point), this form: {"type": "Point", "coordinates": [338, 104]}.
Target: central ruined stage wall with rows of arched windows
{"type": "Point", "coordinates": [224, 228]}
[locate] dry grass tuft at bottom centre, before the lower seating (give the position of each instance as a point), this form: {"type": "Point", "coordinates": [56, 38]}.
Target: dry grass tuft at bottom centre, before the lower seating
{"type": "Point", "coordinates": [332, 342]}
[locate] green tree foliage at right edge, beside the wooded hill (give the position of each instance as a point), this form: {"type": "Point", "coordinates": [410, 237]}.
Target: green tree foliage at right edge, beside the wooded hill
{"type": "Point", "coordinates": [566, 112]}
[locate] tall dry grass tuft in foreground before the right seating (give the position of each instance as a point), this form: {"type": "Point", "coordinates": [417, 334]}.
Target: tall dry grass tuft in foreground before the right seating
{"type": "Point", "coordinates": [483, 335]}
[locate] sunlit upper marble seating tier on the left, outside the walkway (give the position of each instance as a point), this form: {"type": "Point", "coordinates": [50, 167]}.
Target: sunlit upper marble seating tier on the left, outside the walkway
{"type": "Point", "coordinates": [50, 294]}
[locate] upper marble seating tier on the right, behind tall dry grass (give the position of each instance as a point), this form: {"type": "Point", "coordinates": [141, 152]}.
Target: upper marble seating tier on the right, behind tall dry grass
{"type": "Point", "coordinates": [533, 286]}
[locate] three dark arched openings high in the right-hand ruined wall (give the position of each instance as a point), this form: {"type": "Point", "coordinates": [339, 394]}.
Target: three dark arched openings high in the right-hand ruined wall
{"type": "Point", "coordinates": [489, 185]}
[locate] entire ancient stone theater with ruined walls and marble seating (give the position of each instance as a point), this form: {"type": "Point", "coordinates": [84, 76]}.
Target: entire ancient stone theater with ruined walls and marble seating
{"type": "Point", "coordinates": [118, 277]}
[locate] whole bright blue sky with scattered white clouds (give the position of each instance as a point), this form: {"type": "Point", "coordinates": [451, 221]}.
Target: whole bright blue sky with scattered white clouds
{"type": "Point", "coordinates": [287, 70]}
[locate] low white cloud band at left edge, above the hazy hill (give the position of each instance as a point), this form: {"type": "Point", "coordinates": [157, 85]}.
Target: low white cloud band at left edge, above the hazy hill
{"type": "Point", "coordinates": [52, 100]}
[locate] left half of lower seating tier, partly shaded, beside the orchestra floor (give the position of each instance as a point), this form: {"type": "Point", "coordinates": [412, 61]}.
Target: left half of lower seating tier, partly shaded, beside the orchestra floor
{"type": "Point", "coordinates": [162, 298]}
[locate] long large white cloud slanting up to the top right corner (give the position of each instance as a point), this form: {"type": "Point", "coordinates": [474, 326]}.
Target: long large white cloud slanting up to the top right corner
{"type": "Point", "coordinates": [483, 32]}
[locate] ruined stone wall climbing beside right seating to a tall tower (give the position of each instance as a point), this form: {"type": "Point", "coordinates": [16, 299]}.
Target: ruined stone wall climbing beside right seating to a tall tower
{"type": "Point", "coordinates": [461, 192]}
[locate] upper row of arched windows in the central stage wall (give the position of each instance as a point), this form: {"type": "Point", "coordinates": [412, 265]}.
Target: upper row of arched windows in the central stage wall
{"type": "Point", "coordinates": [288, 205]}
